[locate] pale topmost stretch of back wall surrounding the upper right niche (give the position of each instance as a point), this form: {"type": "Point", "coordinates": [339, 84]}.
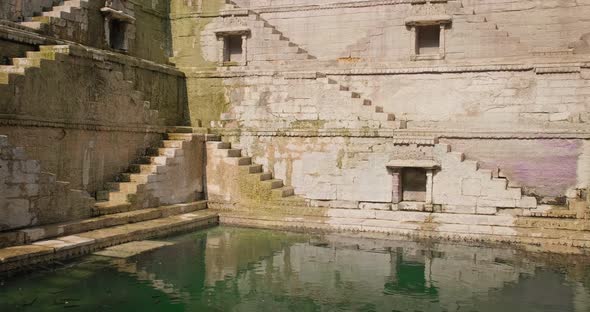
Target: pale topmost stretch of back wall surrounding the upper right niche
{"type": "Point", "coordinates": [378, 31]}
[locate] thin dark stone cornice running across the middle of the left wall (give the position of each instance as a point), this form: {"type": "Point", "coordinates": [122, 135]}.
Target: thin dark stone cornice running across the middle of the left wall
{"type": "Point", "coordinates": [24, 121]}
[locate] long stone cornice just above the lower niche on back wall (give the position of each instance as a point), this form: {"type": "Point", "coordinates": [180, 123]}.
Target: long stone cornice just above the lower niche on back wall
{"type": "Point", "coordinates": [391, 133]}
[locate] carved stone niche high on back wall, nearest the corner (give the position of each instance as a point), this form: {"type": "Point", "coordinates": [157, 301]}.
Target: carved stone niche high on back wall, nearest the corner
{"type": "Point", "coordinates": [232, 46]}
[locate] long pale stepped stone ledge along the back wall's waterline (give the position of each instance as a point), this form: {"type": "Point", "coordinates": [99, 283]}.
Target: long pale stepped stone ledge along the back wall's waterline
{"type": "Point", "coordinates": [565, 236]}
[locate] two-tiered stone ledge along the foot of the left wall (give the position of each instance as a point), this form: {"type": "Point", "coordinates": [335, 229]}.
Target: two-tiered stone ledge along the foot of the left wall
{"type": "Point", "coordinates": [98, 233]}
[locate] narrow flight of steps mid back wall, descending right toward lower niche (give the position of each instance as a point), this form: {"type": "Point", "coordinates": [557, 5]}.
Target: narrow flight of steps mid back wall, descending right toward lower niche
{"type": "Point", "coordinates": [365, 110]}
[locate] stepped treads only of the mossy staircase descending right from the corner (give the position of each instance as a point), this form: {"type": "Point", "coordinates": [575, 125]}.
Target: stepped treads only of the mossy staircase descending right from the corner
{"type": "Point", "coordinates": [254, 173]}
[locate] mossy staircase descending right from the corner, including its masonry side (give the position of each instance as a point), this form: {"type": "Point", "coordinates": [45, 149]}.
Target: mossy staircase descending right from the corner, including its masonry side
{"type": "Point", "coordinates": [259, 185]}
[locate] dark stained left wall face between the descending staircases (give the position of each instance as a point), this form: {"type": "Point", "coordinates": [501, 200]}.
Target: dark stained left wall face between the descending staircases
{"type": "Point", "coordinates": [85, 120]}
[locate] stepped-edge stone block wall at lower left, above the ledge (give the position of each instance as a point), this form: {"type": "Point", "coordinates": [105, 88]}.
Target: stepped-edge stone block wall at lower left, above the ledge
{"type": "Point", "coordinates": [29, 196]}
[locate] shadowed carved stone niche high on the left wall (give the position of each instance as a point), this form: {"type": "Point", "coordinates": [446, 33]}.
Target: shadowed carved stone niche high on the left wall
{"type": "Point", "coordinates": [119, 24]}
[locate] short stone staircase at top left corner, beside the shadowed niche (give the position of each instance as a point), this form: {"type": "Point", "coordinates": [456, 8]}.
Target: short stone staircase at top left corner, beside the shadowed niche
{"type": "Point", "coordinates": [68, 10]}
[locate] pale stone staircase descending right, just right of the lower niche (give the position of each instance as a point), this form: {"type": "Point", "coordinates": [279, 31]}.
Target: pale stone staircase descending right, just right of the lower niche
{"type": "Point", "coordinates": [486, 190]}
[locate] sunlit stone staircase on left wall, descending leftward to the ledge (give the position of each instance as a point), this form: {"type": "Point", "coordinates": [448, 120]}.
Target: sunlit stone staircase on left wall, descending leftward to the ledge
{"type": "Point", "coordinates": [137, 188]}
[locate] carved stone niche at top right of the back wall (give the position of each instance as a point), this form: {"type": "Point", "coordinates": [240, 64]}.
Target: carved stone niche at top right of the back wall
{"type": "Point", "coordinates": [427, 25]}
